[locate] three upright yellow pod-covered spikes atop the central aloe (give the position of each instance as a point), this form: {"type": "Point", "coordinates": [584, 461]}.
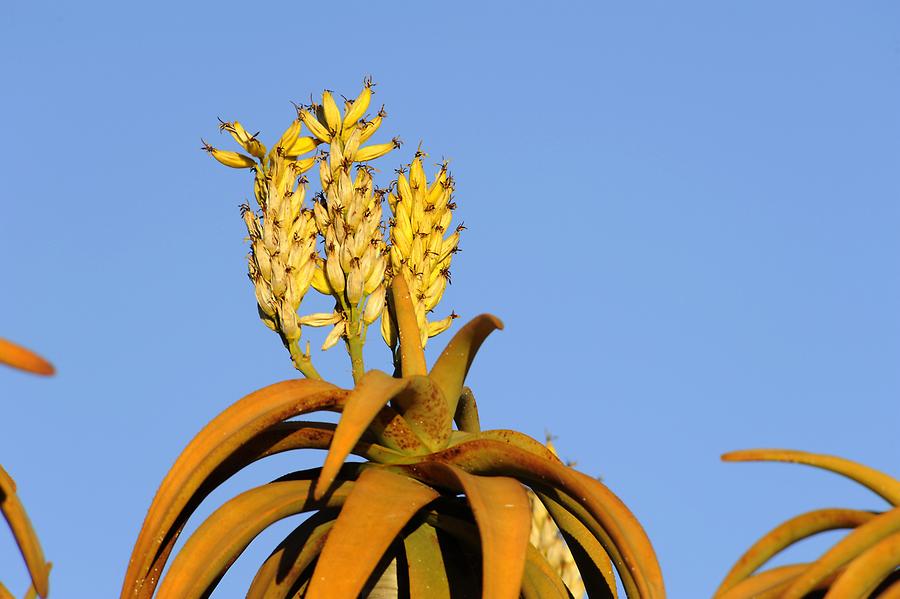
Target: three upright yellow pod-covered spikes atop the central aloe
{"type": "Point", "coordinates": [355, 264]}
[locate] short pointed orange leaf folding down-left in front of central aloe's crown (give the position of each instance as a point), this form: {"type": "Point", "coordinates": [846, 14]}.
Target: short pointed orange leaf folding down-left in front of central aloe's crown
{"type": "Point", "coordinates": [374, 390]}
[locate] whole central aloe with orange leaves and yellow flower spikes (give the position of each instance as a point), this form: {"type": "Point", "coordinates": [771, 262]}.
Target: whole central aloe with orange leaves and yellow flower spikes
{"type": "Point", "coordinates": [437, 500]}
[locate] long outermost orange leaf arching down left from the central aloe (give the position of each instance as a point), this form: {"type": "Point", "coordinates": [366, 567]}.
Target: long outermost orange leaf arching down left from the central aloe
{"type": "Point", "coordinates": [212, 446]}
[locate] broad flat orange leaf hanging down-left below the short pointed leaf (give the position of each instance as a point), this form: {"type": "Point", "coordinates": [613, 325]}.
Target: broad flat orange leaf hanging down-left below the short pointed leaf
{"type": "Point", "coordinates": [377, 509]}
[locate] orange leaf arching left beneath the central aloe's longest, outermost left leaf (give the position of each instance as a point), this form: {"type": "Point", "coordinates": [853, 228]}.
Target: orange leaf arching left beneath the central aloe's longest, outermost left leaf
{"type": "Point", "coordinates": [215, 545]}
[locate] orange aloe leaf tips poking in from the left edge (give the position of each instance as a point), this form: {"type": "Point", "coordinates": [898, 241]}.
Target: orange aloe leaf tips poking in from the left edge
{"type": "Point", "coordinates": [11, 506]}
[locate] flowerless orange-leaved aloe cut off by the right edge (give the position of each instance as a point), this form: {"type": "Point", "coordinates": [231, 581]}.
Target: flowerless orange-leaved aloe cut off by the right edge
{"type": "Point", "coordinates": [864, 563]}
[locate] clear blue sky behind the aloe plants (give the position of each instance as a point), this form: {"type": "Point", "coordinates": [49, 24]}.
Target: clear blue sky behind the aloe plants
{"type": "Point", "coordinates": [686, 213]}
